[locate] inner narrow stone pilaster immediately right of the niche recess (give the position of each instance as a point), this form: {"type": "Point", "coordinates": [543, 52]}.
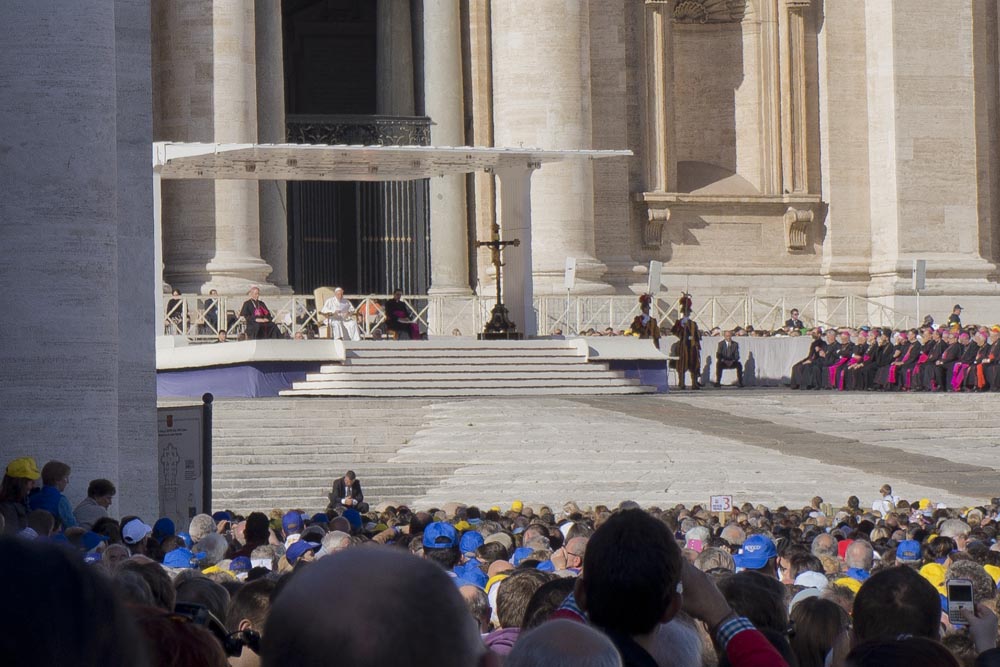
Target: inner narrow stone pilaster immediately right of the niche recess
{"type": "Point", "coordinates": [769, 78]}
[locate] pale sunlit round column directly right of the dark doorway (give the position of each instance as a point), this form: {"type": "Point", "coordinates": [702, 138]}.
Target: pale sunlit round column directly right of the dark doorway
{"type": "Point", "coordinates": [444, 102]}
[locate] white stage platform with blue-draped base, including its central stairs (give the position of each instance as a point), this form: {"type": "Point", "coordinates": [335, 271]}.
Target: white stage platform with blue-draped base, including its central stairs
{"type": "Point", "coordinates": [444, 366]}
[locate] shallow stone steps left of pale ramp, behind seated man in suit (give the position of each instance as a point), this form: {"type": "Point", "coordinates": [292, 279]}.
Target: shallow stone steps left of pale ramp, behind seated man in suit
{"type": "Point", "coordinates": [285, 453]}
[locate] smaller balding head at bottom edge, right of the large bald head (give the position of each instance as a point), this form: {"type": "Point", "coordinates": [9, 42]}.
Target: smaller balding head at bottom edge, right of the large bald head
{"type": "Point", "coordinates": [562, 643]}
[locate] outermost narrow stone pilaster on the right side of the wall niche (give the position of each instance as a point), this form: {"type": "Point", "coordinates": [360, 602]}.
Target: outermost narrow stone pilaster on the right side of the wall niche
{"type": "Point", "coordinates": [794, 130]}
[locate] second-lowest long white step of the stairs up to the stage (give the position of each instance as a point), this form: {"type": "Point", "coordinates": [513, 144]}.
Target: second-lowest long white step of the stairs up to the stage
{"type": "Point", "coordinates": [485, 382]}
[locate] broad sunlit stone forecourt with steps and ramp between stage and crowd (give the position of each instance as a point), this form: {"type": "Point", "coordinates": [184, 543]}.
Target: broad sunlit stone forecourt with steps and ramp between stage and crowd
{"type": "Point", "coordinates": [762, 446]}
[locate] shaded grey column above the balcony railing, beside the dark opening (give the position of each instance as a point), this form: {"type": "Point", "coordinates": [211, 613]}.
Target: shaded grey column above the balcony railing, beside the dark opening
{"type": "Point", "coordinates": [394, 62]}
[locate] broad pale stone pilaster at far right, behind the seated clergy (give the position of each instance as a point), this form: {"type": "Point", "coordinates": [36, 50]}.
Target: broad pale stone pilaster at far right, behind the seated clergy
{"type": "Point", "coordinates": [924, 157]}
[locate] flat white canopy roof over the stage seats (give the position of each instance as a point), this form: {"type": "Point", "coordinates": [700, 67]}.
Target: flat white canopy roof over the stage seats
{"type": "Point", "coordinates": [320, 162]}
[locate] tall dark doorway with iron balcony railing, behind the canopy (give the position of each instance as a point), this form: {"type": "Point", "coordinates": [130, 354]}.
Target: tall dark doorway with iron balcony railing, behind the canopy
{"type": "Point", "coordinates": [365, 237]}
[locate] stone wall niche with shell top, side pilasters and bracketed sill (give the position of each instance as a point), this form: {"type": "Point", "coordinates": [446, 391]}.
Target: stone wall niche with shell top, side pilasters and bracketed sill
{"type": "Point", "coordinates": [727, 188]}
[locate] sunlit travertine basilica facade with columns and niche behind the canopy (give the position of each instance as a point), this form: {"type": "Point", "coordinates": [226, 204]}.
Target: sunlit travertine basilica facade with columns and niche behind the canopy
{"type": "Point", "coordinates": [781, 148]}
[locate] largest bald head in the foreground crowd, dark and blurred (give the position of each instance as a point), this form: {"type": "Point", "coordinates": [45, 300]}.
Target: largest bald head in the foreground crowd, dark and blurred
{"type": "Point", "coordinates": [344, 606]}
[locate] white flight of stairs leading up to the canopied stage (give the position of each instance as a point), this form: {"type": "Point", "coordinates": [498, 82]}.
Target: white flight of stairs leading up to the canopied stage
{"type": "Point", "coordinates": [465, 367]}
